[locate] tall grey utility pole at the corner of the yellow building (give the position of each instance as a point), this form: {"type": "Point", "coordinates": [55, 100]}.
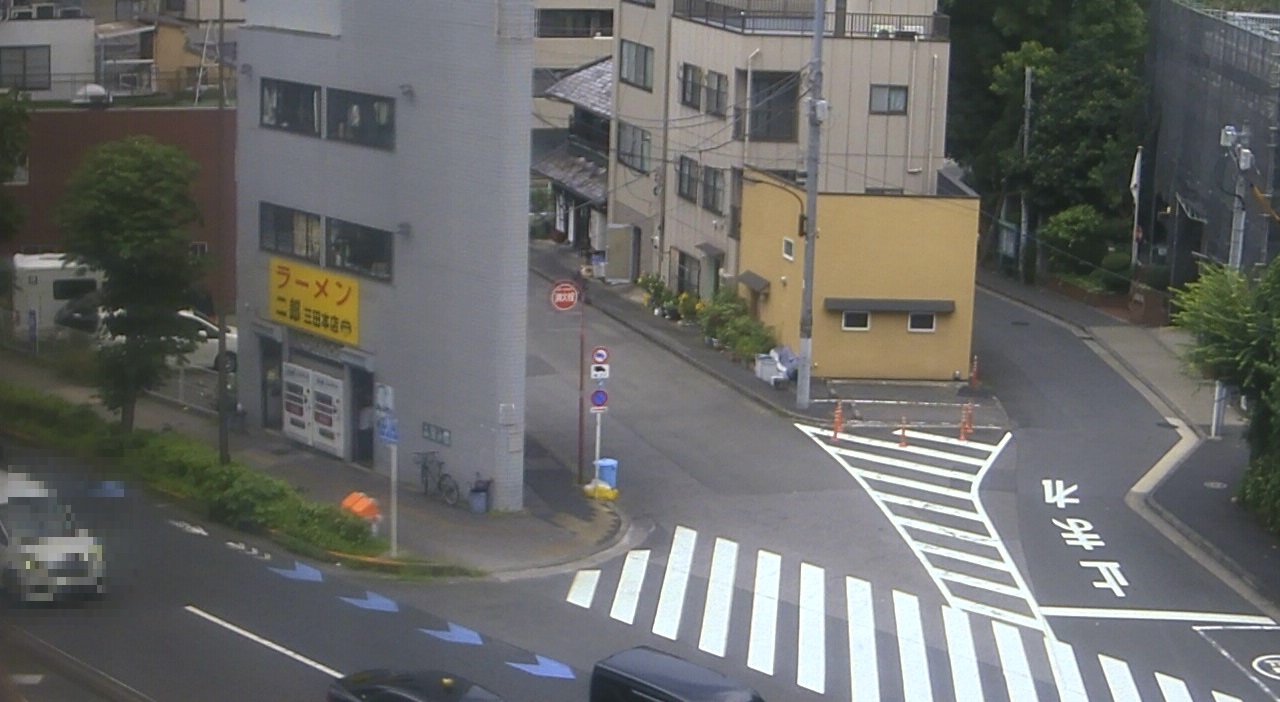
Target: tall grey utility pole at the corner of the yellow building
{"type": "Point", "coordinates": [817, 115]}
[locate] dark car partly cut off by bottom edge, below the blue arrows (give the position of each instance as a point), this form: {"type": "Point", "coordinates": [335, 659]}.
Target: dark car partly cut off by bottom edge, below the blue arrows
{"type": "Point", "coordinates": [419, 686]}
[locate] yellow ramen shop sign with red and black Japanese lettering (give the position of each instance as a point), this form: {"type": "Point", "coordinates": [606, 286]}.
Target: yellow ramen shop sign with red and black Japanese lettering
{"type": "Point", "coordinates": [314, 300]}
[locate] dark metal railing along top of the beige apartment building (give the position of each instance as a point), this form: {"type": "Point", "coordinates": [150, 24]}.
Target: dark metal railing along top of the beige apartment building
{"type": "Point", "coordinates": [796, 17]}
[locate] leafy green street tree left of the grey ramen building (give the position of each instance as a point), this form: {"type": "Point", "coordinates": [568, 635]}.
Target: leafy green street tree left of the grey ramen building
{"type": "Point", "coordinates": [127, 212]}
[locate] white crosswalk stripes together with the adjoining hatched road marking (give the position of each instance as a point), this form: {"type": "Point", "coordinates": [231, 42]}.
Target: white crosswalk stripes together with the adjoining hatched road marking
{"type": "Point", "coordinates": [985, 639]}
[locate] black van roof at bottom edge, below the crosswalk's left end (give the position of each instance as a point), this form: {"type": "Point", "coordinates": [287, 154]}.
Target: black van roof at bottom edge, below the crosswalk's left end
{"type": "Point", "coordinates": [678, 677]}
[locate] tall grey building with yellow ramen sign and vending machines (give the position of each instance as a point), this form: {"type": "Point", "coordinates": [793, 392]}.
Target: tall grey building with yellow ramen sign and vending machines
{"type": "Point", "coordinates": [382, 186]}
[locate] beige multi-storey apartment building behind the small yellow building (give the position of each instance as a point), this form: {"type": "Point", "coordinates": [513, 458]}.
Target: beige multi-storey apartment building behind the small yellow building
{"type": "Point", "coordinates": [706, 88]}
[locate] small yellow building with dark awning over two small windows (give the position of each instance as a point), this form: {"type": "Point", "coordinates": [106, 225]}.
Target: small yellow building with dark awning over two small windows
{"type": "Point", "coordinates": [894, 279]}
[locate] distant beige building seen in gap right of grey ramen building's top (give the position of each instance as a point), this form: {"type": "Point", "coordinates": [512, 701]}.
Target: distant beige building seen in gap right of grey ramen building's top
{"type": "Point", "coordinates": [570, 34]}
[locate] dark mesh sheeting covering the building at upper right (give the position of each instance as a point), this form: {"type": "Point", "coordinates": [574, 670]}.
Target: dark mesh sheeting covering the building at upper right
{"type": "Point", "coordinates": [1210, 70]}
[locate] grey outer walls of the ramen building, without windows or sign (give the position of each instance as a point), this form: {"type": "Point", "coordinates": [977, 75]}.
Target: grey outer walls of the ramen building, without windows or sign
{"type": "Point", "coordinates": [449, 330]}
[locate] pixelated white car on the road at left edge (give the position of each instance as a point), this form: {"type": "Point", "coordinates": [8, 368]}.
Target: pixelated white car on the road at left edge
{"type": "Point", "coordinates": [45, 555]}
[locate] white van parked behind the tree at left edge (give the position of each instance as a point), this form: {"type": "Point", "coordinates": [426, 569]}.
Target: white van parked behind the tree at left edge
{"type": "Point", "coordinates": [42, 285]}
